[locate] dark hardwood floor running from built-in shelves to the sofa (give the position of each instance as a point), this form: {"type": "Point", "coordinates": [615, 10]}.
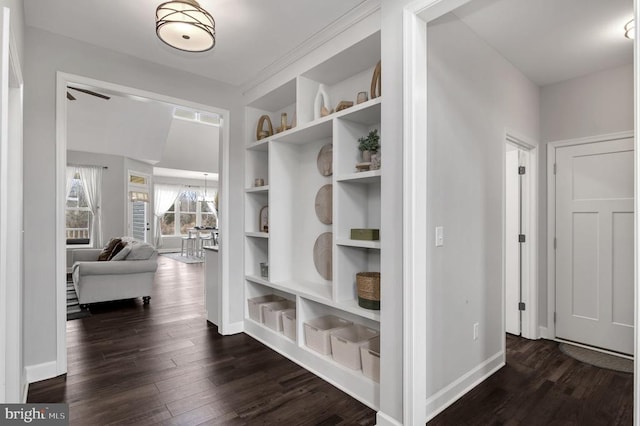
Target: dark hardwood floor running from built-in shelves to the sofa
{"type": "Point", "coordinates": [161, 364]}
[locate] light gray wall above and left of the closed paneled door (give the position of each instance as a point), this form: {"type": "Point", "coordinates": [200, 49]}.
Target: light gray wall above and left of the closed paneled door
{"type": "Point", "coordinates": [595, 104]}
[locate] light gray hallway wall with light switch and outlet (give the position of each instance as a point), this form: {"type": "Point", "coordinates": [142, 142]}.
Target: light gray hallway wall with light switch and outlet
{"type": "Point", "coordinates": [473, 94]}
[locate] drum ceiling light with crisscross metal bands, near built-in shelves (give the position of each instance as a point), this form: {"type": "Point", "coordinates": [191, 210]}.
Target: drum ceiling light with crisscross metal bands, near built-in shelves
{"type": "Point", "coordinates": [184, 25]}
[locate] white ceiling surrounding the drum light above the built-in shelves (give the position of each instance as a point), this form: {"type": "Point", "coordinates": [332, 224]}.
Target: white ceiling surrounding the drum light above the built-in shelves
{"type": "Point", "coordinates": [250, 34]}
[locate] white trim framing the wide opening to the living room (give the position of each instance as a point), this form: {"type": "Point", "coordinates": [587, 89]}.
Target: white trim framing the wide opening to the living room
{"type": "Point", "coordinates": [62, 80]}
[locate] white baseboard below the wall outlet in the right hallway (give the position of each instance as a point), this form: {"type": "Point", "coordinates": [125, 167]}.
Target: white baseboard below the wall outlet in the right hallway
{"type": "Point", "coordinates": [454, 391]}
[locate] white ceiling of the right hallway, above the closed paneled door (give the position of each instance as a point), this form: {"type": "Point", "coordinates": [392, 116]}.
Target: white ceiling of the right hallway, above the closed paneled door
{"type": "Point", "coordinates": [554, 40]}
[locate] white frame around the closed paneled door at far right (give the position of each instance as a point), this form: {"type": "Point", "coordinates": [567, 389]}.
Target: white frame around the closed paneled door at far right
{"type": "Point", "coordinates": [550, 331]}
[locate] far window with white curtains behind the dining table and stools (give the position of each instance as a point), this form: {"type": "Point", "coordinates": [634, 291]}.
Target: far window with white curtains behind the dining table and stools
{"type": "Point", "coordinates": [188, 211]}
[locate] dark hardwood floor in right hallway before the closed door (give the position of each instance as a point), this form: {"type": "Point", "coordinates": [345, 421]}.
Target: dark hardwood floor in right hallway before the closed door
{"type": "Point", "coordinates": [542, 386]}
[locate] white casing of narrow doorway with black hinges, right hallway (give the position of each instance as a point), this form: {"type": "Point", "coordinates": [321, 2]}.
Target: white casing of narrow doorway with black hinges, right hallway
{"type": "Point", "coordinates": [529, 325]}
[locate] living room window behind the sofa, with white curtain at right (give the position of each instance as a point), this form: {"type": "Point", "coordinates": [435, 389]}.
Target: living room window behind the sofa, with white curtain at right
{"type": "Point", "coordinates": [78, 214]}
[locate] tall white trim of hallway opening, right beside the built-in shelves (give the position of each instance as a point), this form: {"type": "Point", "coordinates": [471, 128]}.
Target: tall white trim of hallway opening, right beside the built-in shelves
{"type": "Point", "coordinates": [416, 15]}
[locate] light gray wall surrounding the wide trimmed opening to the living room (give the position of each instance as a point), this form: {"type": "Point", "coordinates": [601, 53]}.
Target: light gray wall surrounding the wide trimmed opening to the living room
{"type": "Point", "coordinates": [46, 54]}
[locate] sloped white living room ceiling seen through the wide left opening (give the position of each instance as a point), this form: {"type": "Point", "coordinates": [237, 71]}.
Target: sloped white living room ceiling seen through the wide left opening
{"type": "Point", "coordinates": [142, 130]}
